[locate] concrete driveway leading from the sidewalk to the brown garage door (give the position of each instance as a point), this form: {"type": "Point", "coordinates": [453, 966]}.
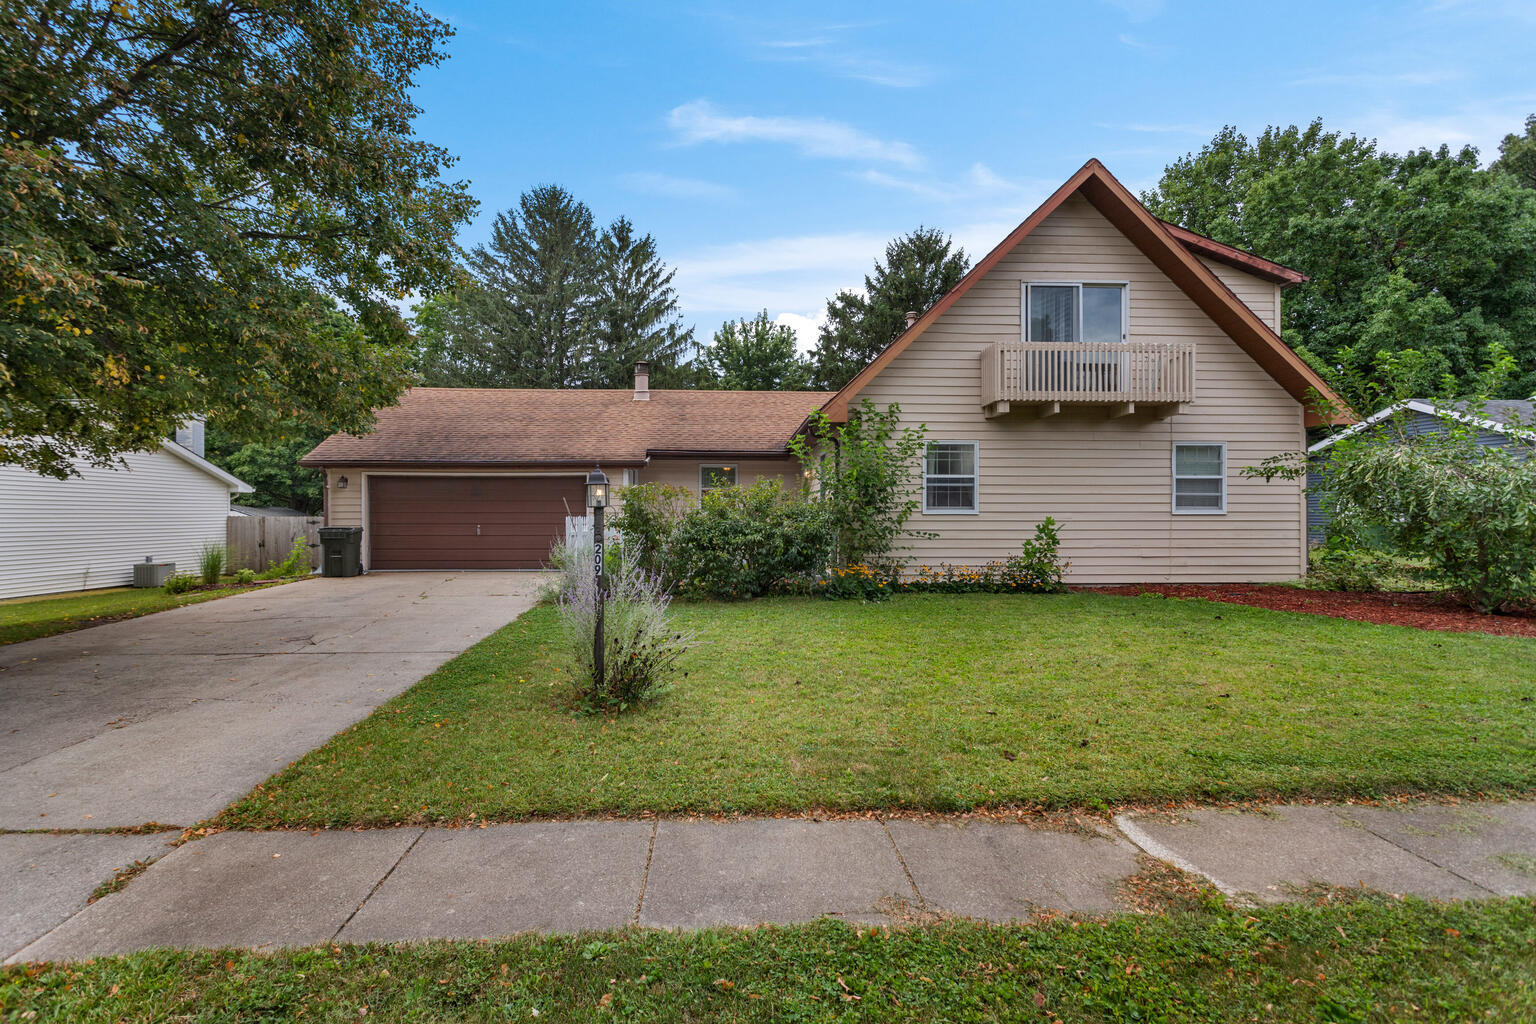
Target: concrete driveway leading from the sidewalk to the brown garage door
{"type": "Point", "coordinates": [173, 716]}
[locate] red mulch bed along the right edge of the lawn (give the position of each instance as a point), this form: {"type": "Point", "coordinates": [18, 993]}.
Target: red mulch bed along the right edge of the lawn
{"type": "Point", "coordinates": [1422, 612]}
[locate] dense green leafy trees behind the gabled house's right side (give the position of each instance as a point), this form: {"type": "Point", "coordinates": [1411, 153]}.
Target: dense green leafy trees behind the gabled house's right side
{"type": "Point", "coordinates": [1420, 251]}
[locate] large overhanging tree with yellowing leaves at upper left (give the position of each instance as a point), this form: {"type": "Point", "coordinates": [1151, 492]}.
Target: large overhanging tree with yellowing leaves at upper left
{"type": "Point", "coordinates": [187, 187]}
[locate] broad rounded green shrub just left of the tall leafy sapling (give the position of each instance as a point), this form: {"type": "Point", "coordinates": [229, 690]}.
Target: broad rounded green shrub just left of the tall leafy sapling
{"type": "Point", "coordinates": [743, 541]}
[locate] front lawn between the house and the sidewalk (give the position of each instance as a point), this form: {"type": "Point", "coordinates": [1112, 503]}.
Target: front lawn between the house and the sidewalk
{"type": "Point", "coordinates": [944, 702]}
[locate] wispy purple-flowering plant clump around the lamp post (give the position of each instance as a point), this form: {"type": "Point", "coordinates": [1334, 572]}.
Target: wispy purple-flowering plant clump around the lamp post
{"type": "Point", "coordinates": [641, 647]}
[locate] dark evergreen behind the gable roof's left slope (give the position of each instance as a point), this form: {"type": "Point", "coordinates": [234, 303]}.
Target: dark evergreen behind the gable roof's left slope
{"type": "Point", "coordinates": [918, 271]}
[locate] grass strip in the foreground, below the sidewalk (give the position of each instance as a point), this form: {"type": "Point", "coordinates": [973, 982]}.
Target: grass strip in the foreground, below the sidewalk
{"type": "Point", "coordinates": [1368, 959]}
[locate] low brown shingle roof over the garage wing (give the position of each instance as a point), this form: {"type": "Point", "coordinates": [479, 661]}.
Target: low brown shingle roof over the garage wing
{"type": "Point", "coordinates": [445, 426]}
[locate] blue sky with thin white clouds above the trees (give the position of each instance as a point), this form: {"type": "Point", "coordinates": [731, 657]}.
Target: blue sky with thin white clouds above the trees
{"type": "Point", "coordinates": [773, 153]}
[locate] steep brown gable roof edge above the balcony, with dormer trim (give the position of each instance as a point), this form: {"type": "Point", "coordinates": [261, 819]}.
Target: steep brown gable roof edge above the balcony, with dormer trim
{"type": "Point", "coordinates": [1170, 254]}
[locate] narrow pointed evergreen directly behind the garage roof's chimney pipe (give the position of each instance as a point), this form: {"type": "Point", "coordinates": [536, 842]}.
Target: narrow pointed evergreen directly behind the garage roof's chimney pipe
{"type": "Point", "coordinates": [637, 314]}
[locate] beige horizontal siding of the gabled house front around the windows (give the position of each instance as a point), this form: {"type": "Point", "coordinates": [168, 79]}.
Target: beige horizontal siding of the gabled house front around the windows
{"type": "Point", "coordinates": [1107, 481]}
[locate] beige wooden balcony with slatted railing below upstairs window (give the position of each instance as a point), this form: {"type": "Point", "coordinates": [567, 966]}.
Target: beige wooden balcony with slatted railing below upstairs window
{"type": "Point", "coordinates": [1117, 375]}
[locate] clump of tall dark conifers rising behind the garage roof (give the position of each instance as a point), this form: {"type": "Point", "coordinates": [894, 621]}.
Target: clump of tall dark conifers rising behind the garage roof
{"type": "Point", "coordinates": [555, 303]}
